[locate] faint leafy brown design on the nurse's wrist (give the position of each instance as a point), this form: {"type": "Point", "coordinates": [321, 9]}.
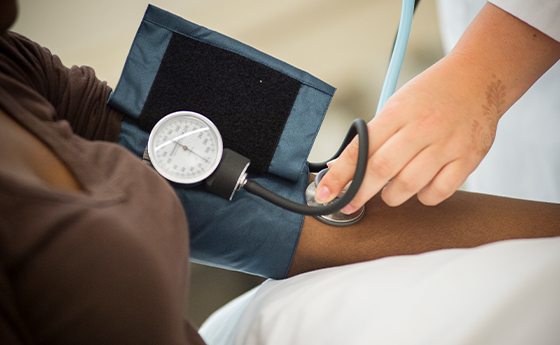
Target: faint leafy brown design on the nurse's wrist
{"type": "Point", "coordinates": [484, 130]}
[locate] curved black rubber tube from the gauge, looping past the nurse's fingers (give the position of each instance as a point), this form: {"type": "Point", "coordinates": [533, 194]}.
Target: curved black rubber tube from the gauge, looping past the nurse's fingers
{"type": "Point", "coordinates": [360, 127]}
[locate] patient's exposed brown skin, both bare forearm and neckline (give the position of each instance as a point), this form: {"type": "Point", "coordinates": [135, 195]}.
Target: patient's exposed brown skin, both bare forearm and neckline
{"type": "Point", "coordinates": [464, 220]}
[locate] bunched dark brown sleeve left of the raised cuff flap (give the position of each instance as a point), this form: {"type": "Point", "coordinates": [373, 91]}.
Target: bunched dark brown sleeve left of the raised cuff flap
{"type": "Point", "coordinates": [75, 93]}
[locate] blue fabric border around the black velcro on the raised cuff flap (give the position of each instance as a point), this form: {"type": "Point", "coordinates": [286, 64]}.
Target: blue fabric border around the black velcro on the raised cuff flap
{"type": "Point", "coordinates": [149, 50]}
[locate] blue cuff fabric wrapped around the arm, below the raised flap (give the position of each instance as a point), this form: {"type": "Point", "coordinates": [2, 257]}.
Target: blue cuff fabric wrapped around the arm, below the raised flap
{"type": "Point", "coordinates": [246, 234]}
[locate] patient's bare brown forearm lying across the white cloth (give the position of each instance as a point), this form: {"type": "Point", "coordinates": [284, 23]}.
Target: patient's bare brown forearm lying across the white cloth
{"type": "Point", "coordinates": [464, 220]}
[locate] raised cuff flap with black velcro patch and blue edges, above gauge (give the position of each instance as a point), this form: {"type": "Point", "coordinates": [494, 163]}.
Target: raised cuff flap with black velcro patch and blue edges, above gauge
{"type": "Point", "coordinates": [265, 109]}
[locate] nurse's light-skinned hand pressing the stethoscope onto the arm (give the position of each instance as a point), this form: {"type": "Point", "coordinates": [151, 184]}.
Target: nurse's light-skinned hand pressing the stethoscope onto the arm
{"type": "Point", "coordinates": [428, 138]}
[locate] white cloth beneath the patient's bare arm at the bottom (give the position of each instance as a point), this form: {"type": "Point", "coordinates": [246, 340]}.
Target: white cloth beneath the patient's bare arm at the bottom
{"type": "Point", "coordinates": [502, 293]}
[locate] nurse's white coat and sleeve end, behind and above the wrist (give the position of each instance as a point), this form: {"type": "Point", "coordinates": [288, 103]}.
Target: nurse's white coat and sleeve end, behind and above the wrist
{"type": "Point", "coordinates": [524, 161]}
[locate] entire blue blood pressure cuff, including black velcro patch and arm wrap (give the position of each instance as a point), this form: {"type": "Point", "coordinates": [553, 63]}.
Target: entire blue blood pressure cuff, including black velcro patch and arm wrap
{"type": "Point", "coordinates": [265, 109]}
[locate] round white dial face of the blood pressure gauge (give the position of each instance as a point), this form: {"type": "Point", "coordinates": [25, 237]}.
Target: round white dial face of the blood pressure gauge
{"type": "Point", "coordinates": [185, 147]}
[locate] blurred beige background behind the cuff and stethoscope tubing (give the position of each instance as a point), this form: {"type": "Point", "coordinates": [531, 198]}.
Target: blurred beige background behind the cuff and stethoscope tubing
{"type": "Point", "coordinates": [346, 43]}
